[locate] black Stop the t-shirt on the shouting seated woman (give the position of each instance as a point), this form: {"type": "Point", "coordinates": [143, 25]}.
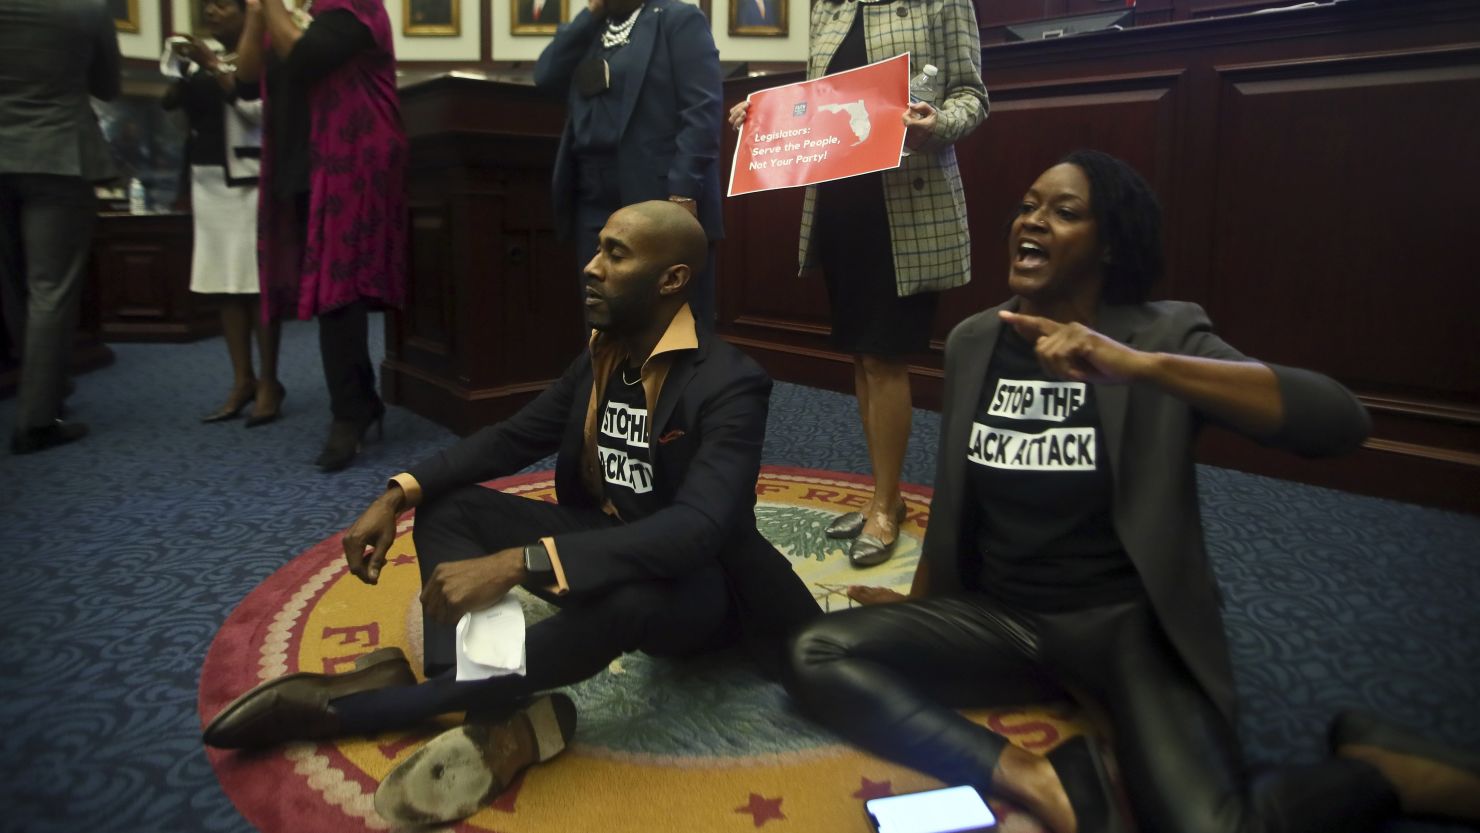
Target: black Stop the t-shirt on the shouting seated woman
{"type": "Point", "coordinates": [1040, 479]}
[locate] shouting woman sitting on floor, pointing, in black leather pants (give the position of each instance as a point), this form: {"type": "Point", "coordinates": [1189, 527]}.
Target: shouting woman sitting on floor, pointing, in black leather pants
{"type": "Point", "coordinates": [1066, 554]}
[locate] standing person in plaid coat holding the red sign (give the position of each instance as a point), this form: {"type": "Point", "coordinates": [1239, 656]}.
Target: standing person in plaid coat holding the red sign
{"type": "Point", "coordinates": [889, 243]}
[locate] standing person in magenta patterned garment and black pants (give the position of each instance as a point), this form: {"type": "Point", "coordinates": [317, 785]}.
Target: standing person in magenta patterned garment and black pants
{"type": "Point", "coordinates": [332, 220]}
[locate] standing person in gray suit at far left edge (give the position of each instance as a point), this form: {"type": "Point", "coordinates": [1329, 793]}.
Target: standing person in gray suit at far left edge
{"type": "Point", "coordinates": [54, 54]}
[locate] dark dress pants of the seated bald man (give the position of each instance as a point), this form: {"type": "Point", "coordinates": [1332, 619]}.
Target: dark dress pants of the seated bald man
{"type": "Point", "coordinates": [661, 618]}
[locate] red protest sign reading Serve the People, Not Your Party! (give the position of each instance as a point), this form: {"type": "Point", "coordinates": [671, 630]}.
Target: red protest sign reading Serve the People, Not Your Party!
{"type": "Point", "coordinates": [824, 129]}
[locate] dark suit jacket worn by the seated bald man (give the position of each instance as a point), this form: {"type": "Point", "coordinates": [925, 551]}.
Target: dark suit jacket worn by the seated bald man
{"type": "Point", "coordinates": [713, 408]}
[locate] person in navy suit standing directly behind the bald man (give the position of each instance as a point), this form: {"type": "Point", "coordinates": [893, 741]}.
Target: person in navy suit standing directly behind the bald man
{"type": "Point", "coordinates": [645, 97]}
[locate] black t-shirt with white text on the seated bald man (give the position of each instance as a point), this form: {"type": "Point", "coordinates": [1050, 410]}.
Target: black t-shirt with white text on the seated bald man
{"type": "Point", "coordinates": [622, 448]}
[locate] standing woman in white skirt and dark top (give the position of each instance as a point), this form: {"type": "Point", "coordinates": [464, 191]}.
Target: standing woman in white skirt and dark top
{"type": "Point", "coordinates": [224, 150]}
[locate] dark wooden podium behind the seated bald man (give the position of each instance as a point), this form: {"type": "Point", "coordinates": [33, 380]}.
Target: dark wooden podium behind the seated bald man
{"type": "Point", "coordinates": [494, 308]}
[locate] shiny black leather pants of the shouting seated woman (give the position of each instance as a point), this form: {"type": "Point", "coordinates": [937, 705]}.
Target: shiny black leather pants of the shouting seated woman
{"type": "Point", "coordinates": [890, 678]}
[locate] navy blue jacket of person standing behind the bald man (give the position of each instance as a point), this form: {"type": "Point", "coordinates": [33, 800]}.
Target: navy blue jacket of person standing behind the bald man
{"type": "Point", "coordinates": [671, 121]}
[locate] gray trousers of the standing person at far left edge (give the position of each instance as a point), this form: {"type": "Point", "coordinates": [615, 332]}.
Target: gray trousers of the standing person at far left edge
{"type": "Point", "coordinates": [47, 227]}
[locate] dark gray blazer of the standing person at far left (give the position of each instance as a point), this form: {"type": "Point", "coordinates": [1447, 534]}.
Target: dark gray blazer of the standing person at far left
{"type": "Point", "coordinates": [54, 54]}
